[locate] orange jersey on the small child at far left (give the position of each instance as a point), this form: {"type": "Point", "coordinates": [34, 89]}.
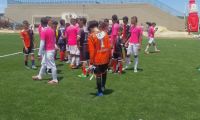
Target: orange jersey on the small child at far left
{"type": "Point", "coordinates": [26, 38]}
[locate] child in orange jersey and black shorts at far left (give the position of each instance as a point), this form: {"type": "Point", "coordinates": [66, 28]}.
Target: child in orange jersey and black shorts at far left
{"type": "Point", "coordinates": [27, 36]}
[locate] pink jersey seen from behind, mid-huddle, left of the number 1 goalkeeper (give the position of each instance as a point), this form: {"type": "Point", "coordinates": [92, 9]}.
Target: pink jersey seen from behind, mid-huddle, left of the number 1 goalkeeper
{"type": "Point", "coordinates": [71, 34]}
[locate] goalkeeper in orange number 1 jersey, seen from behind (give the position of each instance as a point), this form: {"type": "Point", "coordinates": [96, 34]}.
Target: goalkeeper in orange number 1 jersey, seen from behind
{"type": "Point", "coordinates": [99, 50]}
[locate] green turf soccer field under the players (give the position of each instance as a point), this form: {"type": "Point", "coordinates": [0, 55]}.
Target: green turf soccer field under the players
{"type": "Point", "coordinates": [168, 88]}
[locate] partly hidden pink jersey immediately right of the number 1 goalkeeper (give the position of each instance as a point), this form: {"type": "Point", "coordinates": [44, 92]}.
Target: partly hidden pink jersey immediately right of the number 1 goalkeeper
{"type": "Point", "coordinates": [115, 31]}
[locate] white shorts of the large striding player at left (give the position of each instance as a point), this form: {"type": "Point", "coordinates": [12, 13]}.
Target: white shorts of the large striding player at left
{"type": "Point", "coordinates": [49, 60]}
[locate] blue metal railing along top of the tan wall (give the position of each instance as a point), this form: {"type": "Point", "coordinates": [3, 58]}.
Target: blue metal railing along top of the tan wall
{"type": "Point", "coordinates": [155, 3]}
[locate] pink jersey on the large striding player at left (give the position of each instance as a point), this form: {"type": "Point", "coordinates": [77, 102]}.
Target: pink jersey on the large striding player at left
{"type": "Point", "coordinates": [48, 35]}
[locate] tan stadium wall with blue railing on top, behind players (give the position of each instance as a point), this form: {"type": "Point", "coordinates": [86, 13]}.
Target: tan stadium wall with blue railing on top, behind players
{"type": "Point", "coordinates": [146, 10]}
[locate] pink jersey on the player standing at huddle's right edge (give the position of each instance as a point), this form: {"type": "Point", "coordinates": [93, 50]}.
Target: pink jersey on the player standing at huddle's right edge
{"type": "Point", "coordinates": [135, 34]}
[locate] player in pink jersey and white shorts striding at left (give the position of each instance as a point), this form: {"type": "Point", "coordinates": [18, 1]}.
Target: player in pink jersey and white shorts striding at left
{"type": "Point", "coordinates": [47, 49]}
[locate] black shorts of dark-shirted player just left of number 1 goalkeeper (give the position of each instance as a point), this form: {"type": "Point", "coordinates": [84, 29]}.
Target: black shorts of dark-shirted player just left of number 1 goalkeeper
{"type": "Point", "coordinates": [84, 53]}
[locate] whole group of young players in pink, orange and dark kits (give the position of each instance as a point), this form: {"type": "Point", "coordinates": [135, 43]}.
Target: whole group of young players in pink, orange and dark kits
{"type": "Point", "coordinates": [95, 46]}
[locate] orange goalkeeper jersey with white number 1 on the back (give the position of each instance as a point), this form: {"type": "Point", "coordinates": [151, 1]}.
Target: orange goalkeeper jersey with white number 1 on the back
{"type": "Point", "coordinates": [100, 52]}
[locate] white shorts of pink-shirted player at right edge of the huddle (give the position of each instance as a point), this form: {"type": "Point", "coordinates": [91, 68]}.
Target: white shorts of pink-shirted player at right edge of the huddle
{"type": "Point", "coordinates": [133, 49]}
